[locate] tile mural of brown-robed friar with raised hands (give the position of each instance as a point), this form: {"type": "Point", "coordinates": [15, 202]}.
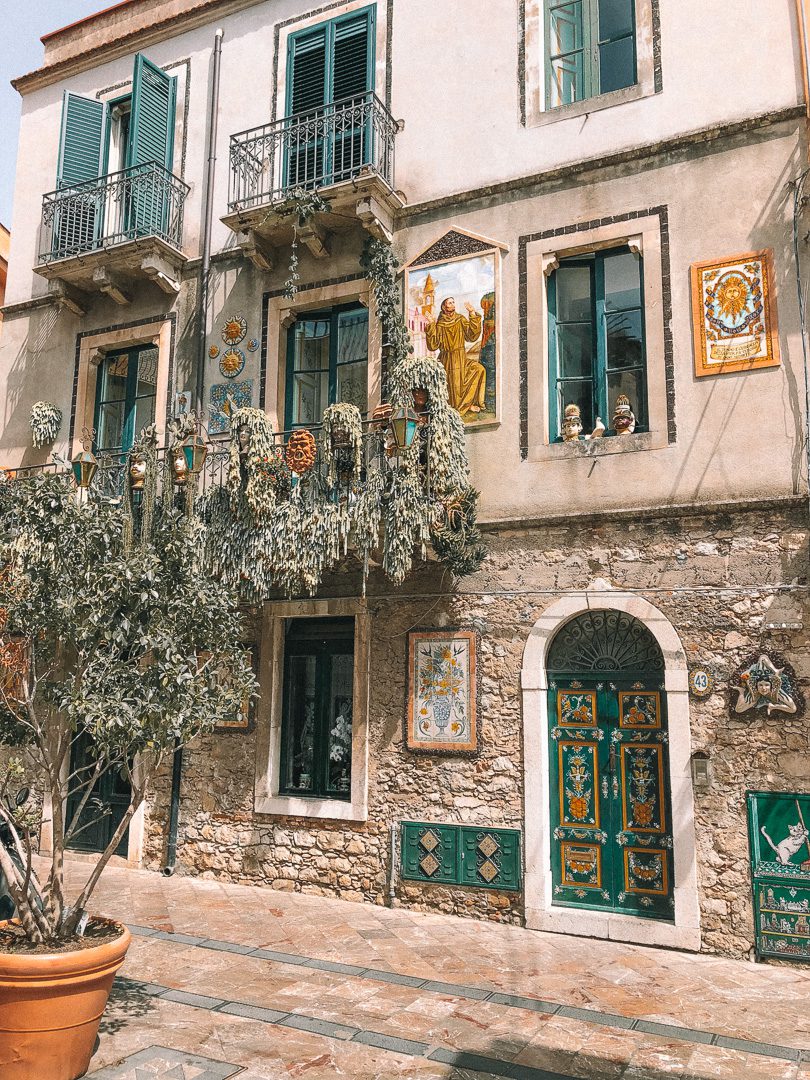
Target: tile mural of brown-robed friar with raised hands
{"type": "Point", "coordinates": [452, 312]}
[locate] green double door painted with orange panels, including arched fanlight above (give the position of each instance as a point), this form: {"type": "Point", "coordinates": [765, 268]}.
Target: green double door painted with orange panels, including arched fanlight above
{"type": "Point", "coordinates": [611, 809]}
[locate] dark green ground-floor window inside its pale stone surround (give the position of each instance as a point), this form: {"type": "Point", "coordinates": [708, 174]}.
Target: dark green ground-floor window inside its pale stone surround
{"type": "Point", "coordinates": [317, 710]}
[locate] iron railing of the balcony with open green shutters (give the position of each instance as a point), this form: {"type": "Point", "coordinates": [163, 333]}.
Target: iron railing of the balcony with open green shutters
{"type": "Point", "coordinates": [142, 201]}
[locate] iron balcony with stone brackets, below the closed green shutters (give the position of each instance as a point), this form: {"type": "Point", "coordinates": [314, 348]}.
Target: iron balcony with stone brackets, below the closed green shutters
{"type": "Point", "coordinates": [346, 152]}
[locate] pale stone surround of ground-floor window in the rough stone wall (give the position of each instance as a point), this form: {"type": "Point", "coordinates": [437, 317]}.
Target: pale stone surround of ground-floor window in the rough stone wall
{"type": "Point", "coordinates": [269, 712]}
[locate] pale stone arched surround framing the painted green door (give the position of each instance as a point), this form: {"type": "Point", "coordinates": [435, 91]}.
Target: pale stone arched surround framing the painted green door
{"type": "Point", "coordinates": [539, 899]}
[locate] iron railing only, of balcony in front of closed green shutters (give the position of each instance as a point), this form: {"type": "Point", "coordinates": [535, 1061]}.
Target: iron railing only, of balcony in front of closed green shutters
{"type": "Point", "coordinates": [312, 151]}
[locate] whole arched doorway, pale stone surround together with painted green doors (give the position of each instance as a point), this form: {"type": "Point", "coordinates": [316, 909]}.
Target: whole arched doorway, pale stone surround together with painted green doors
{"type": "Point", "coordinates": [570, 645]}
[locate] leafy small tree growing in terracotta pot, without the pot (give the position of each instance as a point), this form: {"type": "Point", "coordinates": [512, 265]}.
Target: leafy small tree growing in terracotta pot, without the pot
{"type": "Point", "coordinates": [129, 645]}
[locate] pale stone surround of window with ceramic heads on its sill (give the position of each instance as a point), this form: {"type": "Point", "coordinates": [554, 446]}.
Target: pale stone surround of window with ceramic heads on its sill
{"type": "Point", "coordinates": [643, 236]}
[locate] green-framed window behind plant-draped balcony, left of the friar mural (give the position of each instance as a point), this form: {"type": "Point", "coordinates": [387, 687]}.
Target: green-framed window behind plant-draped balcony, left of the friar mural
{"type": "Point", "coordinates": [328, 362]}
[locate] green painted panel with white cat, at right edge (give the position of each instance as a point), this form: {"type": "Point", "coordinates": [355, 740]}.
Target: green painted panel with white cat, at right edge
{"type": "Point", "coordinates": [780, 863]}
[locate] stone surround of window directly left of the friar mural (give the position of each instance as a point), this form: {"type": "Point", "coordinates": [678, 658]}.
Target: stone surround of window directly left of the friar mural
{"type": "Point", "coordinates": [280, 316]}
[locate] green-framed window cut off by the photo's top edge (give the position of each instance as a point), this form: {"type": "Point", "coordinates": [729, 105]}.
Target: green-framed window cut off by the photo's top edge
{"type": "Point", "coordinates": [590, 49]}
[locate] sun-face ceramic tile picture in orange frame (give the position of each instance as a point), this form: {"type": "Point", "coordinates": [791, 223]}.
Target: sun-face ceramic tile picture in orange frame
{"type": "Point", "coordinates": [735, 316]}
